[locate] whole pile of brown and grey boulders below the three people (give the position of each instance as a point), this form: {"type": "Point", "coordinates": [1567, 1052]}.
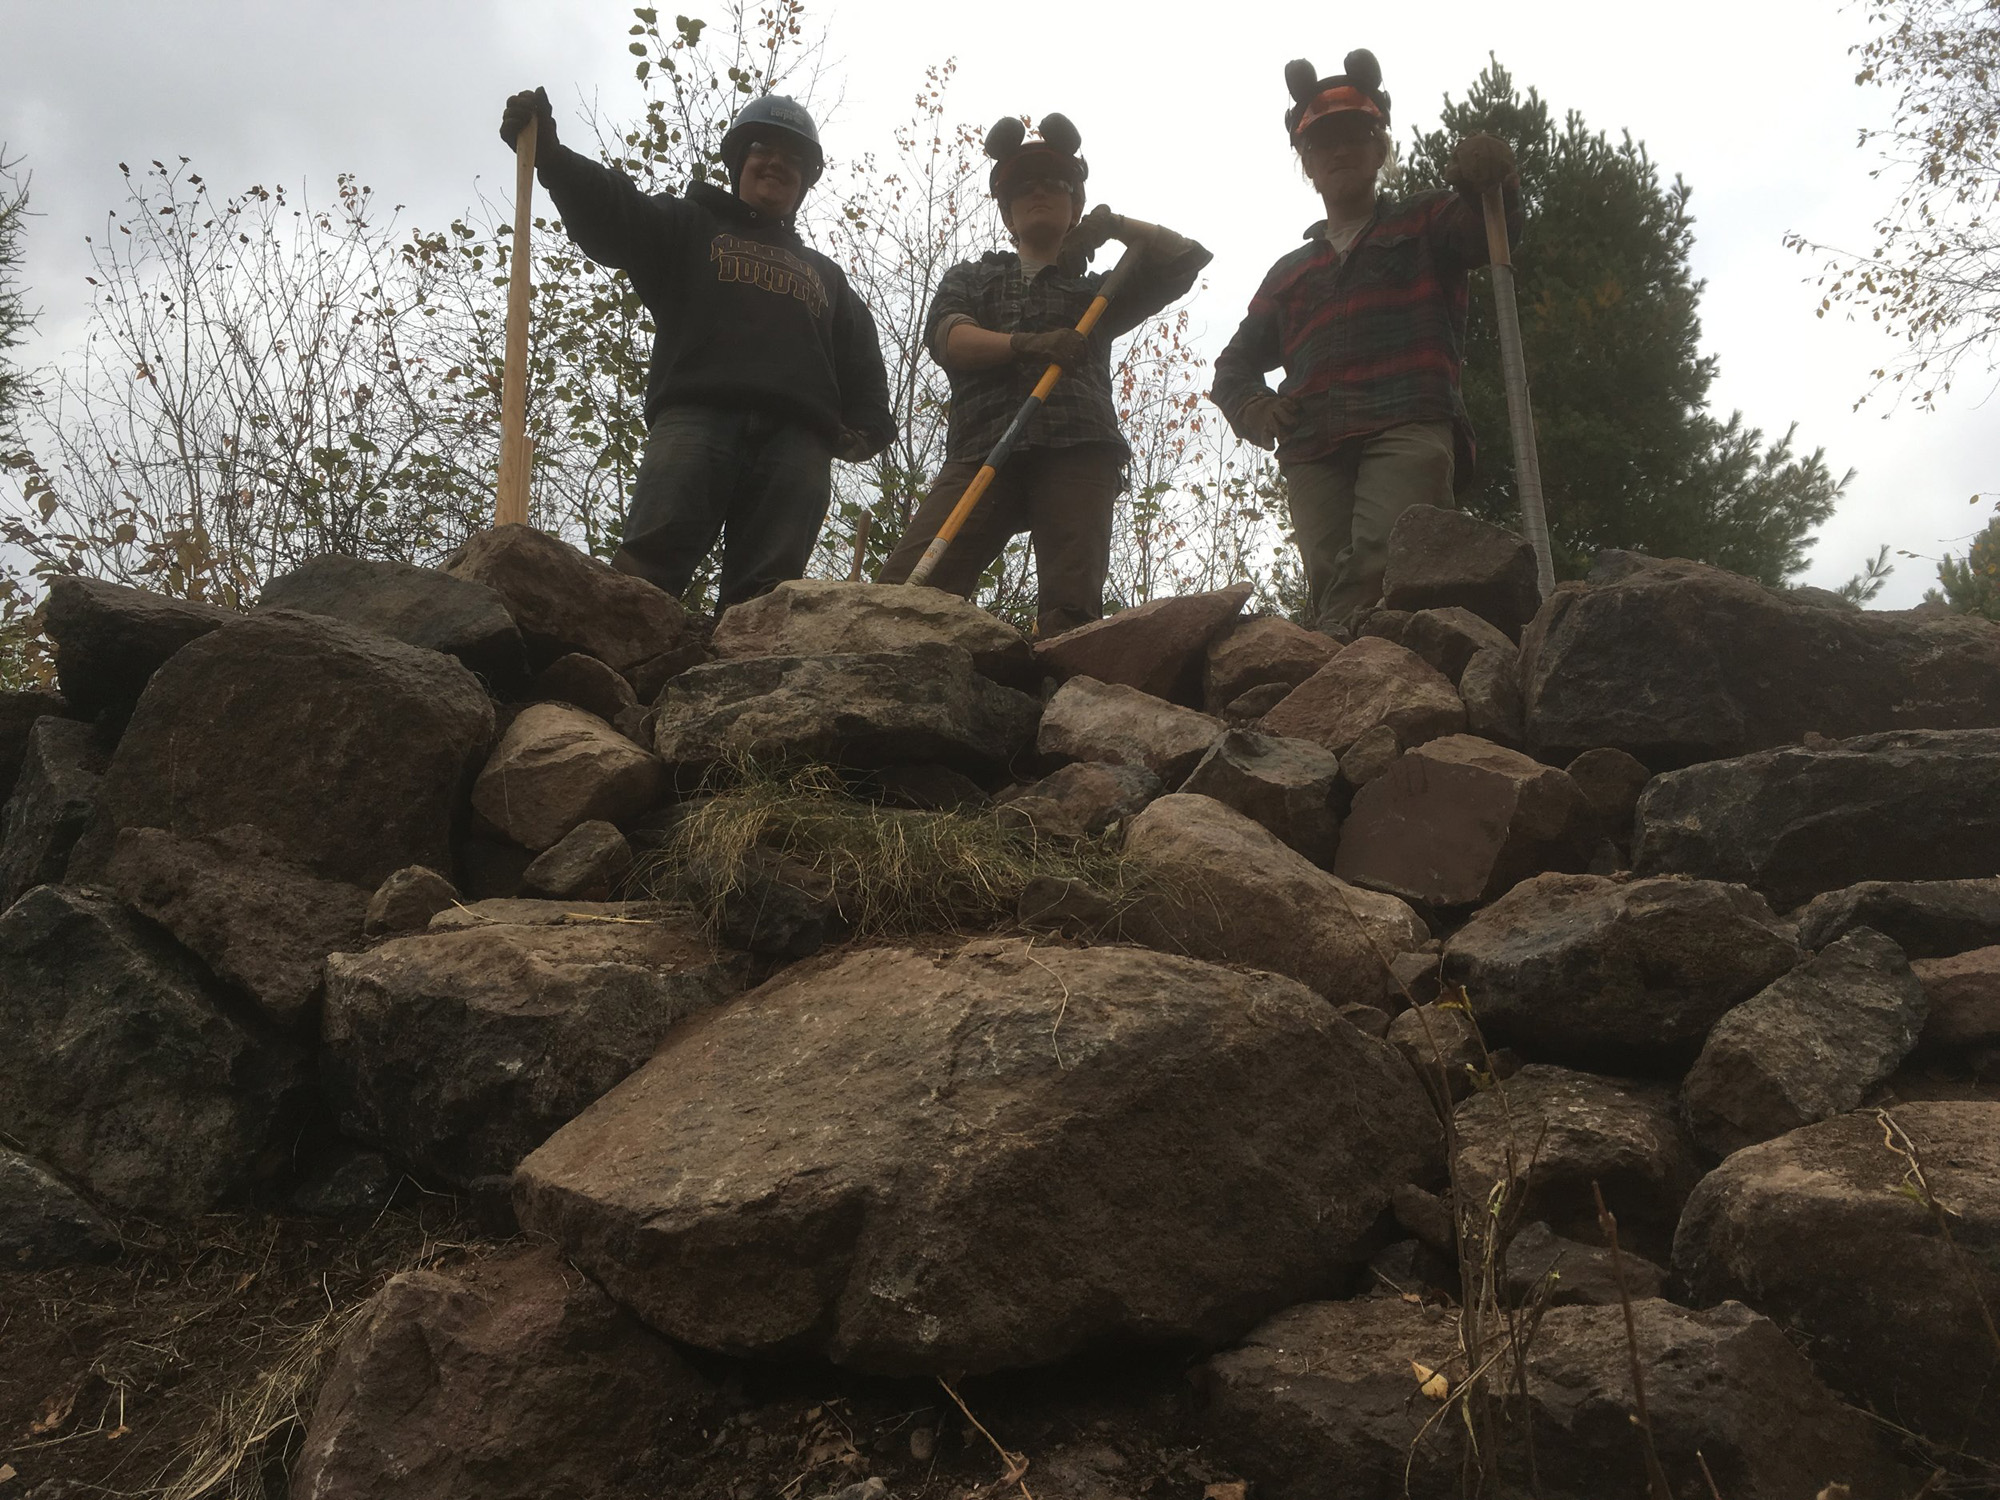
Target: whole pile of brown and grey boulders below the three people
{"type": "Point", "coordinates": [1503, 965]}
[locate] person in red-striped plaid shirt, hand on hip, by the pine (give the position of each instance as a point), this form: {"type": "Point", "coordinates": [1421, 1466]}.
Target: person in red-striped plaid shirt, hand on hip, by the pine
{"type": "Point", "coordinates": [1369, 321]}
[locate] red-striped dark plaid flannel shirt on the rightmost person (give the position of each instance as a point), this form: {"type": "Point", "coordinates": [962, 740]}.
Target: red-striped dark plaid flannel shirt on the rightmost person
{"type": "Point", "coordinates": [1369, 339]}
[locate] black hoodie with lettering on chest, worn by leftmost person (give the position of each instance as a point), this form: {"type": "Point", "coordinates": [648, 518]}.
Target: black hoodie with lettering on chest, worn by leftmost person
{"type": "Point", "coordinates": [745, 313]}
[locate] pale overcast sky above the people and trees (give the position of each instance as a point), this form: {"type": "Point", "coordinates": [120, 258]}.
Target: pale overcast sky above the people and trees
{"type": "Point", "coordinates": [1753, 103]}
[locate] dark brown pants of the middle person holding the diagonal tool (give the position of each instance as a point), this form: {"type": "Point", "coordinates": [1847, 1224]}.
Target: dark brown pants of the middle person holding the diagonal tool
{"type": "Point", "coordinates": [1061, 497]}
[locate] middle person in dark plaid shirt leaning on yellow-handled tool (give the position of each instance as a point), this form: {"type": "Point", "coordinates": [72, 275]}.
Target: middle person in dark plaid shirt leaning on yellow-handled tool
{"type": "Point", "coordinates": [997, 325]}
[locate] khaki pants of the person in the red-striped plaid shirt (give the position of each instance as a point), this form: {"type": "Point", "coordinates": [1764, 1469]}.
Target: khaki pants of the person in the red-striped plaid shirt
{"type": "Point", "coordinates": [1345, 505]}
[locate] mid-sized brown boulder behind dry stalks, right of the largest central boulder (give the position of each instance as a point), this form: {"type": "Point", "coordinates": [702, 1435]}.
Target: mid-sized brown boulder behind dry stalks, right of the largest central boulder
{"type": "Point", "coordinates": [1551, 1137]}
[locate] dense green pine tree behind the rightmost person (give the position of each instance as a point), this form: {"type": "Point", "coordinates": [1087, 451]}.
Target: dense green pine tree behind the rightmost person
{"type": "Point", "coordinates": [1611, 321]}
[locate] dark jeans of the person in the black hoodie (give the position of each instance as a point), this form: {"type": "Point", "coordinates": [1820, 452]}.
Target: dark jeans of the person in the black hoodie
{"type": "Point", "coordinates": [755, 479]}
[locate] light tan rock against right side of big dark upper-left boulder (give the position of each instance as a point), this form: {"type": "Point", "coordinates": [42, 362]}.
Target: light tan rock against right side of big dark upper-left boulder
{"type": "Point", "coordinates": [559, 767]}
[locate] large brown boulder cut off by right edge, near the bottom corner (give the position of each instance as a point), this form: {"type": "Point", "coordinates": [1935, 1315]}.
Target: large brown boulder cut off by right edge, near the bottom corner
{"type": "Point", "coordinates": [1831, 1233]}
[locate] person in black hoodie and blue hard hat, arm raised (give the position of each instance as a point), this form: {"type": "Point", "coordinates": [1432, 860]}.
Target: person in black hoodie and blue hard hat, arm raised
{"type": "Point", "coordinates": [765, 365]}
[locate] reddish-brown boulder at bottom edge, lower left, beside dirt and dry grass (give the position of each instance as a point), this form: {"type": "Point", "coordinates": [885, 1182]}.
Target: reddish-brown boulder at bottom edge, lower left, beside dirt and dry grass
{"type": "Point", "coordinates": [509, 1379]}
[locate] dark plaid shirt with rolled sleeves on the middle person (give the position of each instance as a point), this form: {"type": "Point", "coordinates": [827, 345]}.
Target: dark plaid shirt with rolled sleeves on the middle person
{"type": "Point", "coordinates": [997, 297]}
